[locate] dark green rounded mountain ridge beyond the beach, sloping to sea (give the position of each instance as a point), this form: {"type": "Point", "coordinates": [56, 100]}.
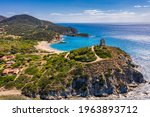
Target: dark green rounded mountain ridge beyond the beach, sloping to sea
{"type": "Point", "coordinates": [30, 27]}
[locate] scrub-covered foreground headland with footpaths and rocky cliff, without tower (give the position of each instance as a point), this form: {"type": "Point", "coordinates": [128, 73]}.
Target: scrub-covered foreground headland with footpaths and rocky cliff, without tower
{"type": "Point", "coordinates": [92, 71]}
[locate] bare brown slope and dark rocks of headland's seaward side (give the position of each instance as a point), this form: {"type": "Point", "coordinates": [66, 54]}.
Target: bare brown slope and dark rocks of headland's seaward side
{"type": "Point", "coordinates": [102, 78]}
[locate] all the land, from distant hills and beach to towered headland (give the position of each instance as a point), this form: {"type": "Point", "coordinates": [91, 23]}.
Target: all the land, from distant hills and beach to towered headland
{"type": "Point", "coordinates": [29, 66]}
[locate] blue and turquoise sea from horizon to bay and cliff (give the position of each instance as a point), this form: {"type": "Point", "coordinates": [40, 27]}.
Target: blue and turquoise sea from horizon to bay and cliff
{"type": "Point", "coordinates": [133, 38]}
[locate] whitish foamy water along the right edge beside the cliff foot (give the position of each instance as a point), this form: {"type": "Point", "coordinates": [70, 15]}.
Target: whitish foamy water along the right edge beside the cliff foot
{"type": "Point", "coordinates": [141, 58]}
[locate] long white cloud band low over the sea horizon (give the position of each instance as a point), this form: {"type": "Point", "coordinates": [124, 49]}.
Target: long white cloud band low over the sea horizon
{"type": "Point", "coordinates": [104, 16]}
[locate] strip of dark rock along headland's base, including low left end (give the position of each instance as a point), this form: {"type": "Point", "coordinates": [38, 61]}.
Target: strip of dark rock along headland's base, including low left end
{"type": "Point", "coordinates": [116, 83]}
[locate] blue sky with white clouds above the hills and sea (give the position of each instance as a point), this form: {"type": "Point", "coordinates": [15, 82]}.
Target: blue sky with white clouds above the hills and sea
{"type": "Point", "coordinates": [80, 10]}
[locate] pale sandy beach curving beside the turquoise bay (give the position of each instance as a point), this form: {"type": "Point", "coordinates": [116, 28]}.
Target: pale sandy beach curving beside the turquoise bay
{"type": "Point", "coordinates": [45, 46]}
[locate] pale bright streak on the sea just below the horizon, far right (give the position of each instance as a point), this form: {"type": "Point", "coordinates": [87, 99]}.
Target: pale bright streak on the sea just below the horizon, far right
{"type": "Point", "coordinates": [137, 38]}
